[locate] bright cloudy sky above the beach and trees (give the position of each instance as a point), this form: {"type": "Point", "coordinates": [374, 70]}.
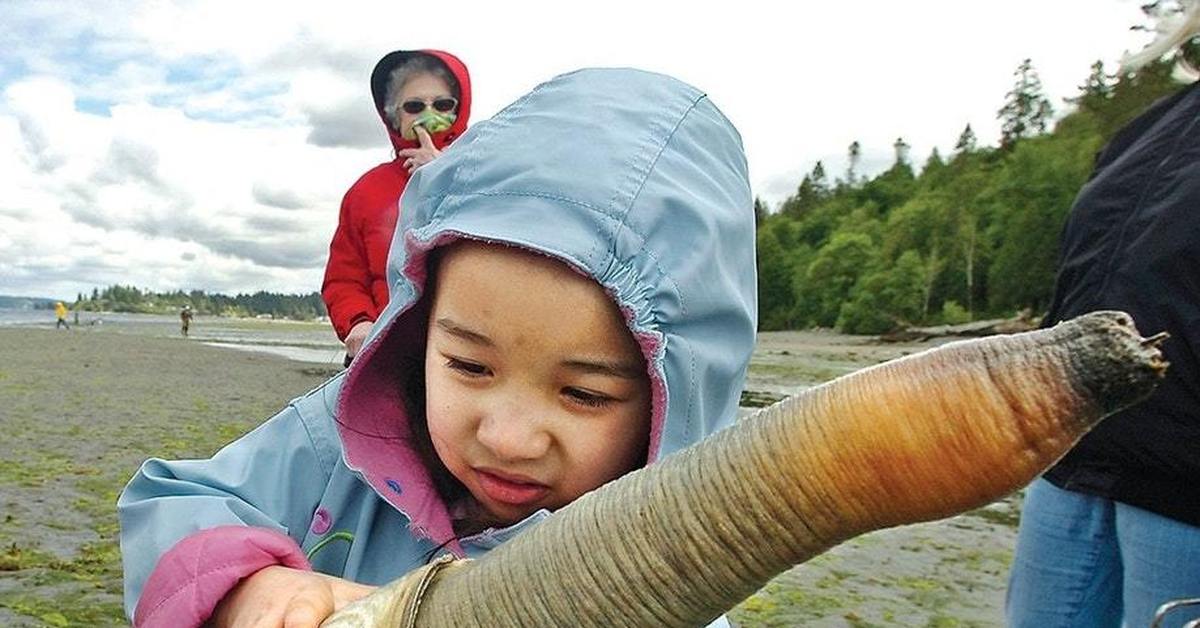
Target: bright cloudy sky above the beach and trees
{"type": "Point", "coordinates": [208, 145]}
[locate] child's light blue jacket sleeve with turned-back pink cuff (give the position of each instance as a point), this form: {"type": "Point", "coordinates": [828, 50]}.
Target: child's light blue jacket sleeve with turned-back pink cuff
{"type": "Point", "coordinates": [193, 530]}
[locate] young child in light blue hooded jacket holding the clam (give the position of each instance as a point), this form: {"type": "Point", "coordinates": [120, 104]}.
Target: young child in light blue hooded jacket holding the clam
{"type": "Point", "coordinates": [573, 297]}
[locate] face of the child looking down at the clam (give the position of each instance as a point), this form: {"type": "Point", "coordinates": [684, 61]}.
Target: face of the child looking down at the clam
{"type": "Point", "coordinates": [536, 391]}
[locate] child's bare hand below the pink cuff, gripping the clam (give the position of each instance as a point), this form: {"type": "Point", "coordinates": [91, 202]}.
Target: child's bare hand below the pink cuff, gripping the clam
{"type": "Point", "coordinates": [281, 597]}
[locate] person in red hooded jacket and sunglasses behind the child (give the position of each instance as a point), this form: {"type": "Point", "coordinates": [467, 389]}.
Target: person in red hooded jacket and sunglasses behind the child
{"type": "Point", "coordinates": [424, 101]}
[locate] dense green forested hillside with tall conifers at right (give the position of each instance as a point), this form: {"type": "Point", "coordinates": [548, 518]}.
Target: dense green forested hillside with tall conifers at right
{"type": "Point", "coordinates": [974, 236]}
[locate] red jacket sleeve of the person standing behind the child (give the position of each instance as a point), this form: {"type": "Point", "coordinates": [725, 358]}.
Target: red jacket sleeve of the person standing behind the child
{"type": "Point", "coordinates": [347, 285]}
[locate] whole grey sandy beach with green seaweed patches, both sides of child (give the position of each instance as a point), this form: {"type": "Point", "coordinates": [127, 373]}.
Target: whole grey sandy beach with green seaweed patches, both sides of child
{"type": "Point", "coordinates": [82, 410]}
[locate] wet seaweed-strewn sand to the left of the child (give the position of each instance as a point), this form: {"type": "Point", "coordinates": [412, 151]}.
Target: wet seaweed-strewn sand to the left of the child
{"type": "Point", "coordinates": [80, 411]}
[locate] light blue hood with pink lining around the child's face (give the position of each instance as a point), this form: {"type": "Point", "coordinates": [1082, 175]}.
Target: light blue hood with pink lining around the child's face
{"type": "Point", "coordinates": [633, 180]}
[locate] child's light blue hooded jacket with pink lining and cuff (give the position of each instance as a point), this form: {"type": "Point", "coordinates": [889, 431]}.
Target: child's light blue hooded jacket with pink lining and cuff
{"type": "Point", "coordinates": [632, 178]}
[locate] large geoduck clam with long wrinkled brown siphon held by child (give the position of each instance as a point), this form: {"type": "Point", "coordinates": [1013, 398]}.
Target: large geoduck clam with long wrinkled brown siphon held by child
{"type": "Point", "coordinates": [680, 543]}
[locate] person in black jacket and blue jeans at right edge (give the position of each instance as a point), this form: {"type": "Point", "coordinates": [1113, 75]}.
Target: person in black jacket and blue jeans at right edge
{"type": "Point", "coordinates": [1113, 531]}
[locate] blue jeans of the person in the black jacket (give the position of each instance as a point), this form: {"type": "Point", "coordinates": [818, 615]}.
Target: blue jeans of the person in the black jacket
{"type": "Point", "coordinates": [1085, 561]}
